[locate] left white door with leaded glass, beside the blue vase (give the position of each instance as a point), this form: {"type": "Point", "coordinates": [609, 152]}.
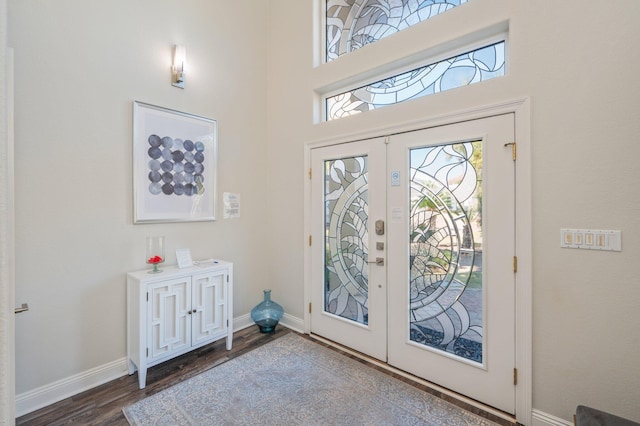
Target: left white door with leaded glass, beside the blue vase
{"type": "Point", "coordinates": [349, 294]}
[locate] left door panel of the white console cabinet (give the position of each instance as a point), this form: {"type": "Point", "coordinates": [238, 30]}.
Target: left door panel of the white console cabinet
{"type": "Point", "coordinates": [169, 319]}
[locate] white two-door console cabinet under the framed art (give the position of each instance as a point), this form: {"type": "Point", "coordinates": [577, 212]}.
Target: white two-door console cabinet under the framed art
{"type": "Point", "coordinates": [175, 311]}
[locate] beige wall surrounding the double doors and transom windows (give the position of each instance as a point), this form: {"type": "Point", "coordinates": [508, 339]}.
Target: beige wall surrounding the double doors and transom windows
{"type": "Point", "coordinates": [579, 62]}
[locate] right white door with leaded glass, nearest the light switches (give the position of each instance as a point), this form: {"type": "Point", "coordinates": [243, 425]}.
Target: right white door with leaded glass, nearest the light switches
{"type": "Point", "coordinates": [451, 257]}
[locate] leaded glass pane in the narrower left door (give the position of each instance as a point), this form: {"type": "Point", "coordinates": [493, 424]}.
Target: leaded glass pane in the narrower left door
{"type": "Point", "coordinates": [346, 239]}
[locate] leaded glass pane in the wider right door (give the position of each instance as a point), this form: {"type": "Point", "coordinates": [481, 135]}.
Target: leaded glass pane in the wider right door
{"type": "Point", "coordinates": [446, 248]}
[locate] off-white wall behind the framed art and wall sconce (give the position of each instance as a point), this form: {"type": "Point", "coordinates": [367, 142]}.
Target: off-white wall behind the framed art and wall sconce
{"type": "Point", "coordinates": [79, 66]}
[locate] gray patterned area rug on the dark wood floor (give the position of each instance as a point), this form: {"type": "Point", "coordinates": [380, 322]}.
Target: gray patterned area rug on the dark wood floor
{"type": "Point", "coordinates": [293, 381]}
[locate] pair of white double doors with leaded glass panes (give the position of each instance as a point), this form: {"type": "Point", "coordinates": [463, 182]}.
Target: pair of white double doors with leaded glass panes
{"type": "Point", "coordinates": [413, 250]}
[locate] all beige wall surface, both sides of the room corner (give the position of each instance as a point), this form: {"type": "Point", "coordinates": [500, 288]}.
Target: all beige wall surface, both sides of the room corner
{"type": "Point", "coordinates": [79, 65]}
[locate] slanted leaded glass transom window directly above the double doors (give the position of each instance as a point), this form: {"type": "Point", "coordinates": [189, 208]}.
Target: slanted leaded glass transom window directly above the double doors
{"type": "Point", "coordinates": [469, 68]}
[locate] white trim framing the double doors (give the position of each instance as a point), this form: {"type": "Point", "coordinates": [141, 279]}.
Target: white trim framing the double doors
{"type": "Point", "coordinates": [524, 325]}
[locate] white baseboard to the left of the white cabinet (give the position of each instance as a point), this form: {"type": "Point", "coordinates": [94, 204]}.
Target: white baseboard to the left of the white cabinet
{"type": "Point", "coordinates": [57, 391]}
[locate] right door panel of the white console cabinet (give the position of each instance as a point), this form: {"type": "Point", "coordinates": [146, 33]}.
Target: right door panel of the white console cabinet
{"type": "Point", "coordinates": [209, 306]}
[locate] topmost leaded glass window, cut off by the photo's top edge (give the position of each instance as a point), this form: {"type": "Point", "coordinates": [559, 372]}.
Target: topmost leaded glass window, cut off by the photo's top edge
{"type": "Point", "coordinates": [351, 24]}
